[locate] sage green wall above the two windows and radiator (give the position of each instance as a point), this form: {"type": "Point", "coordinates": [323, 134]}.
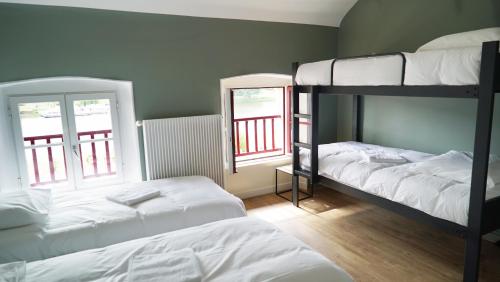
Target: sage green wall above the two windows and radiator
{"type": "Point", "coordinates": [174, 62]}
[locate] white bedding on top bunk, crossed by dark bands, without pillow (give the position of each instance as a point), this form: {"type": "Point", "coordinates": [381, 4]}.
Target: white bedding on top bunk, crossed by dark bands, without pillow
{"type": "Point", "coordinates": [454, 66]}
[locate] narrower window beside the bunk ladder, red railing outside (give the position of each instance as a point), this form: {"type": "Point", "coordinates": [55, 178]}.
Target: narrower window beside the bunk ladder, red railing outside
{"type": "Point", "coordinates": [260, 122]}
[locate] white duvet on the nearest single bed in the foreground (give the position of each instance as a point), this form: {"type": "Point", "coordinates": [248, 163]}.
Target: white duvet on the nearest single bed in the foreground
{"type": "Point", "coordinates": [240, 249]}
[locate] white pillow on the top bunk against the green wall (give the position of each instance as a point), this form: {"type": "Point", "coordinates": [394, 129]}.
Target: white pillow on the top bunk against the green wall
{"type": "Point", "coordinates": [473, 38]}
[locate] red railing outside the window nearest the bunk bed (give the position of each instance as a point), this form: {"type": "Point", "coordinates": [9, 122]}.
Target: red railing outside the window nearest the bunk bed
{"type": "Point", "coordinates": [243, 124]}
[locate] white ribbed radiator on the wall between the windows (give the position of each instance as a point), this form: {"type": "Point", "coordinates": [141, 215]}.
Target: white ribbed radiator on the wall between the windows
{"type": "Point", "coordinates": [184, 146]}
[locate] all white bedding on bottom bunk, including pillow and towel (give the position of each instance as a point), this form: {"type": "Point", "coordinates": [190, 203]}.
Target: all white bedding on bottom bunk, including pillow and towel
{"type": "Point", "coordinates": [438, 185]}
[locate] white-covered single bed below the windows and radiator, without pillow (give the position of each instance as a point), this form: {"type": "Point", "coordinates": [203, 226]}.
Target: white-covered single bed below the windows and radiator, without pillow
{"type": "Point", "coordinates": [84, 219]}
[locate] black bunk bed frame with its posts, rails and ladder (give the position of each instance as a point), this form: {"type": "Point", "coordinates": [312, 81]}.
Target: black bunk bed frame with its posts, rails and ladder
{"type": "Point", "coordinates": [482, 214]}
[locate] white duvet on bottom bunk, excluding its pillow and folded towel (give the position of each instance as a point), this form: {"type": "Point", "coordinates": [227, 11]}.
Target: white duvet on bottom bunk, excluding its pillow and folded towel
{"type": "Point", "coordinates": [440, 197]}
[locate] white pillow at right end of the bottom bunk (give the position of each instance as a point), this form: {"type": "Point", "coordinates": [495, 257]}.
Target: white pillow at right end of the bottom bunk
{"type": "Point", "coordinates": [456, 166]}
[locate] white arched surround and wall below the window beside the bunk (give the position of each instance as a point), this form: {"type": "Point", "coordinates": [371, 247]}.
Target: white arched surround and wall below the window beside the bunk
{"type": "Point", "coordinates": [253, 178]}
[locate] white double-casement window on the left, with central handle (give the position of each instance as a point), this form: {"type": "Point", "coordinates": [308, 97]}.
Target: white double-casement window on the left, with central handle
{"type": "Point", "coordinates": [67, 140]}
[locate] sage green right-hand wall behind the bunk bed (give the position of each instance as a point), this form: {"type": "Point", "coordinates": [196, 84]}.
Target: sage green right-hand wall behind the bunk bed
{"type": "Point", "coordinates": [433, 125]}
